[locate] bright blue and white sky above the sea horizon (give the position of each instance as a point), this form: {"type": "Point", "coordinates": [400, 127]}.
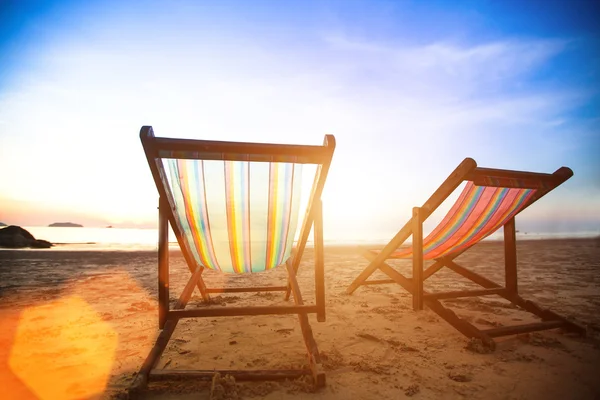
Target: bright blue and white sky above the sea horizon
{"type": "Point", "coordinates": [408, 88]}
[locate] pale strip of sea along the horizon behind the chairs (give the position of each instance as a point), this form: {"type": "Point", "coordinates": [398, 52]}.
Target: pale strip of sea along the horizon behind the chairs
{"type": "Point", "coordinates": [132, 239]}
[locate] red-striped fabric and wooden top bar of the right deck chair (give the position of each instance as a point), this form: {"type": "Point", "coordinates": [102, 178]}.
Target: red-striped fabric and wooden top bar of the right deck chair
{"type": "Point", "coordinates": [488, 201]}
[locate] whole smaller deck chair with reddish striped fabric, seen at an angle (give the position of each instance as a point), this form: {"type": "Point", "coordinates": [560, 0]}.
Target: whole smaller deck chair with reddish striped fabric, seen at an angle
{"type": "Point", "coordinates": [489, 201]}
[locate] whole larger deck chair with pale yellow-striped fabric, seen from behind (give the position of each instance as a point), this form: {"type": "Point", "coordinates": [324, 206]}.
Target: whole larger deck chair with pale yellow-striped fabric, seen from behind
{"type": "Point", "coordinates": [233, 208]}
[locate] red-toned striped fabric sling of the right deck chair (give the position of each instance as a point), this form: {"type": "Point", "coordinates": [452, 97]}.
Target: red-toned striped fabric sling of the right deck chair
{"type": "Point", "coordinates": [478, 212]}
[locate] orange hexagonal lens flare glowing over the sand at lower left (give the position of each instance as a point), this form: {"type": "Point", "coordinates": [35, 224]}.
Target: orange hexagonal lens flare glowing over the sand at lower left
{"type": "Point", "coordinates": [63, 350]}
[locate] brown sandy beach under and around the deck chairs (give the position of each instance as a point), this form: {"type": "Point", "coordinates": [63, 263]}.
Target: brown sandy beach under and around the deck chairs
{"type": "Point", "coordinates": [80, 324]}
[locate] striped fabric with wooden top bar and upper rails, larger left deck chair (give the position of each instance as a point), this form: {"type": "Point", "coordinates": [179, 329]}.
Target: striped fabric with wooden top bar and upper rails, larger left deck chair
{"type": "Point", "coordinates": [234, 206]}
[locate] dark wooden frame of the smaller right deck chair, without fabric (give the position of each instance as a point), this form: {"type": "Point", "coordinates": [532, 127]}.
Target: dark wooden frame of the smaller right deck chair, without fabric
{"type": "Point", "coordinates": [468, 171]}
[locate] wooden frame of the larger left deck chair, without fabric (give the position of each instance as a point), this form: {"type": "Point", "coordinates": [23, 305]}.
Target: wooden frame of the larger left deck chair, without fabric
{"type": "Point", "coordinates": [168, 318]}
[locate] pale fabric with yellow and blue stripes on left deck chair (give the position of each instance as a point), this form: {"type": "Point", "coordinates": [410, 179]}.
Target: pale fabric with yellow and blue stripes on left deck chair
{"type": "Point", "coordinates": [236, 216]}
